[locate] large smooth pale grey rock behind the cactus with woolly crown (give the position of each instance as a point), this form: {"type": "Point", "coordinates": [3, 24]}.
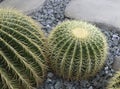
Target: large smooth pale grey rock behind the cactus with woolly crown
{"type": "Point", "coordinates": [102, 11]}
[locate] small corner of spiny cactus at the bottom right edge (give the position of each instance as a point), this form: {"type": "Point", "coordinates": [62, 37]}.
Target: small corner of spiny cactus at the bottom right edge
{"type": "Point", "coordinates": [114, 82]}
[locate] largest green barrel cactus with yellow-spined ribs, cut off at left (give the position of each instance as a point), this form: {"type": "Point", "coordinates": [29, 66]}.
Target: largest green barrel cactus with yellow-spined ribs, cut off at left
{"type": "Point", "coordinates": [22, 46]}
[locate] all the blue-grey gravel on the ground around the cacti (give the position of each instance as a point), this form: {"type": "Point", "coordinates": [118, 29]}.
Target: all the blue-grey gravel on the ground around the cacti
{"type": "Point", "coordinates": [51, 14]}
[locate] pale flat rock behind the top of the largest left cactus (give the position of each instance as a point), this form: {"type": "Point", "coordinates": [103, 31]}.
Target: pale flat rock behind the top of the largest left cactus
{"type": "Point", "coordinates": [26, 6]}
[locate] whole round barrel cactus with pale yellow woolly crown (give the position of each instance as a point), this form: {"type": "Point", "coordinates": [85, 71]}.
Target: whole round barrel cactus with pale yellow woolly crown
{"type": "Point", "coordinates": [78, 50]}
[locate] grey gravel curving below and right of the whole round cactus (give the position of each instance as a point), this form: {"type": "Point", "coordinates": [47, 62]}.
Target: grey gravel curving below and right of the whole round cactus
{"type": "Point", "coordinates": [101, 79]}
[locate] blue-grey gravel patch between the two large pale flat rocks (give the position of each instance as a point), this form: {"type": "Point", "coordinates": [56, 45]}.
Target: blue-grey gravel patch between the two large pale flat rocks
{"type": "Point", "coordinates": [51, 13]}
